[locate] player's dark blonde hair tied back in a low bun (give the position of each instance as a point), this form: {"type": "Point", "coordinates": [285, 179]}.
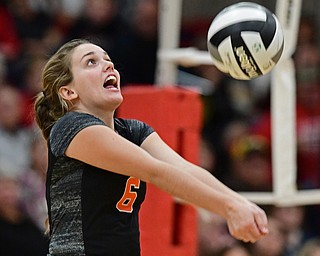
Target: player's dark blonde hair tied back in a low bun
{"type": "Point", "coordinates": [49, 105]}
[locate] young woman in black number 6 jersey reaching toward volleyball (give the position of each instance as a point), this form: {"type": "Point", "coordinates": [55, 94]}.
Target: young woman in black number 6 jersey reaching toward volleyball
{"type": "Point", "coordinates": [99, 165]}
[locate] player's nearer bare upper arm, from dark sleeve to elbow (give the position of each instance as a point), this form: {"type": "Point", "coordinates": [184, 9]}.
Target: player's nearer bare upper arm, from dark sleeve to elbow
{"type": "Point", "coordinates": [100, 146]}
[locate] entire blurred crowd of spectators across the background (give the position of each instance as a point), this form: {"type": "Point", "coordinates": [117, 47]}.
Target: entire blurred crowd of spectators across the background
{"type": "Point", "coordinates": [236, 135]}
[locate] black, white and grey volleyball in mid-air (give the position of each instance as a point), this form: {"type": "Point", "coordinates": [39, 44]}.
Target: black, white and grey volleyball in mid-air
{"type": "Point", "coordinates": [245, 40]}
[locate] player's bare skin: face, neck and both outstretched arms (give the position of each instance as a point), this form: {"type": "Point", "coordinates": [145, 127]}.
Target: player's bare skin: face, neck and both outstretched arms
{"type": "Point", "coordinates": [154, 162]}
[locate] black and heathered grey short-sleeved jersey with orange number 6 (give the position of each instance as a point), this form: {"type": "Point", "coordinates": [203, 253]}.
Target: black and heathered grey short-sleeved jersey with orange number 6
{"type": "Point", "coordinates": [92, 211]}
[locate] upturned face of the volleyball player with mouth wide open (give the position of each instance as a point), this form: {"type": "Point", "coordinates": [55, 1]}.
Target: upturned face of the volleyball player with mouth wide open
{"type": "Point", "coordinates": [96, 84]}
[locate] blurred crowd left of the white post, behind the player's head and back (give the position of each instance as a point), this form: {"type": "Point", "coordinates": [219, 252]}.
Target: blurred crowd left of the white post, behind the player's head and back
{"type": "Point", "coordinates": [30, 31]}
